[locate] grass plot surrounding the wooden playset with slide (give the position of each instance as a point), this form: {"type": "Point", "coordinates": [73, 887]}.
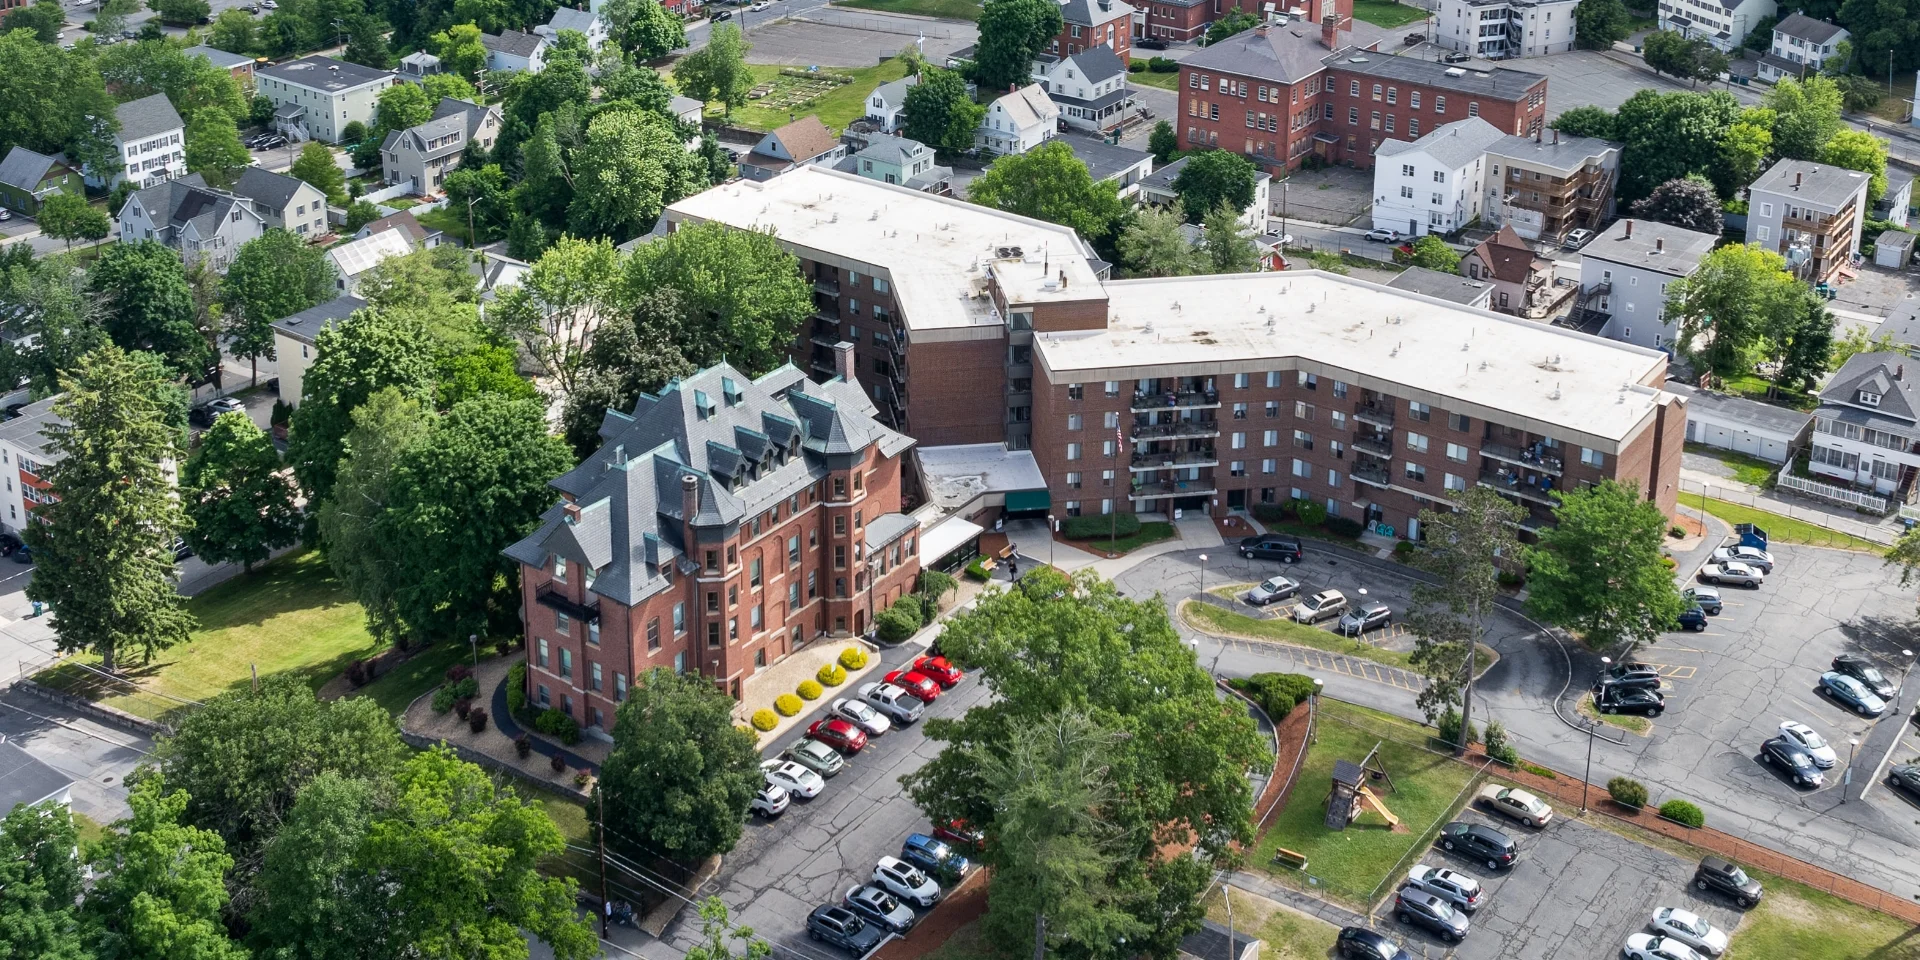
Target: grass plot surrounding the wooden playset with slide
{"type": "Point", "coordinates": [1351, 863]}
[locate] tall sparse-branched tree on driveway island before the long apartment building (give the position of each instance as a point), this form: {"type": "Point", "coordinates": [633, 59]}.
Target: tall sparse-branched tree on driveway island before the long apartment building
{"type": "Point", "coordinates": [1462, 550]}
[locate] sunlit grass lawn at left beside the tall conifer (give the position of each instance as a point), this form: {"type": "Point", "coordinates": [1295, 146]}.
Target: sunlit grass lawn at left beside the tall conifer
{"type": "Point", "coordinates": [289, 615]}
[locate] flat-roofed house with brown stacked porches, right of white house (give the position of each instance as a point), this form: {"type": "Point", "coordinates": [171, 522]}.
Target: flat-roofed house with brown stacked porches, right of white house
{"type": "Point", "coordinates": [1550, 185]}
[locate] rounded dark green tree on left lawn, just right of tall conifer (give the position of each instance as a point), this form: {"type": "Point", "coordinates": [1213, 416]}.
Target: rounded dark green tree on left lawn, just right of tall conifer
{"type": "Point", "coordinates": [239, 502]}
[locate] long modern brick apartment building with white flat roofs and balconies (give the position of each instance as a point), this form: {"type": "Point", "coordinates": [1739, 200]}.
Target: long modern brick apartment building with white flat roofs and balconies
{"type": "Point", "coordinates": [1220, 393]}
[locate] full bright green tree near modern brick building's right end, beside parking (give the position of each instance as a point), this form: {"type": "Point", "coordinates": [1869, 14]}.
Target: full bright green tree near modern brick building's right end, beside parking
{"type": "Point", "coordinates": [1600, 569]}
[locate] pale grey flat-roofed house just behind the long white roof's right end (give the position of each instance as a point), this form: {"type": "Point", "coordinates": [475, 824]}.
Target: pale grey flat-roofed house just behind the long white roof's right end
{"type": "Point", "coordinates": [1625, 274]}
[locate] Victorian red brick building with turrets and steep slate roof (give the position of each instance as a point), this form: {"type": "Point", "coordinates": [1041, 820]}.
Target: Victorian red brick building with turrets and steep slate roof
{"type": "Point", "coordinates": [723, 525]}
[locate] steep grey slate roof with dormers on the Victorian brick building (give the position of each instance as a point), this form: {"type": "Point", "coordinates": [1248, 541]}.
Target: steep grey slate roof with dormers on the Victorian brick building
{"type": "Point", "coordinates": [748, 446]}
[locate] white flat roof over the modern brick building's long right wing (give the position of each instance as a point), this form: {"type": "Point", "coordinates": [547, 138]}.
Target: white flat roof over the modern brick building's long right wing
{"type": "Point", "coordinates": [1410, 347]}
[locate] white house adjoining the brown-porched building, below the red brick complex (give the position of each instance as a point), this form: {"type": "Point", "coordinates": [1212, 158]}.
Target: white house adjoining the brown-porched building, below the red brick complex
{"type": "Point", "coordinates": [1435, 183]}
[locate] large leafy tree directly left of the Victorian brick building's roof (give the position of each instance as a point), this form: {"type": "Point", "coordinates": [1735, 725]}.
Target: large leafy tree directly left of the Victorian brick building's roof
{"type": "Point", "coordinates": [462, 496]}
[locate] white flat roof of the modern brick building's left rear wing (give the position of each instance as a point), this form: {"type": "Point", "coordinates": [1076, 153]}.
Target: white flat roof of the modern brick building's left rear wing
{"type": "Point", "coordinates": [934, 251]}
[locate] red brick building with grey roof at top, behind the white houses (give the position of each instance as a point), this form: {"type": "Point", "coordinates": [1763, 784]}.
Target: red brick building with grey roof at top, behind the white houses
{"type": "Point", "coordinates": [1289, 91]}
